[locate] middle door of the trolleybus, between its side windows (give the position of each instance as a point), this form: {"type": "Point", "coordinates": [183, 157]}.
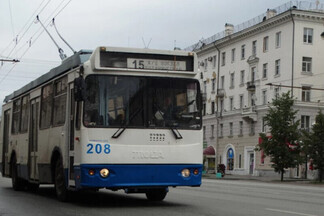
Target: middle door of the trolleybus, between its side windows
{"type": "Point", "coordinates": [33, 135]}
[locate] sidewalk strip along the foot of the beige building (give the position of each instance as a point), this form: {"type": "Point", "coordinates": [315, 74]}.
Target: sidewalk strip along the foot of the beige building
{"type": "Point", "coordinates": [272, 179]}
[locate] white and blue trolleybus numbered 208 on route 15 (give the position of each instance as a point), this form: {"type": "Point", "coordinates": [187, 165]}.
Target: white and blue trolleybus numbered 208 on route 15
{"type": "Point", "coordinates": [115, 118]}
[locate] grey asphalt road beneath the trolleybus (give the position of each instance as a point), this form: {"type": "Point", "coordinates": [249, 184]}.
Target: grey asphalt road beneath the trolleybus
{"type": "Point", "coordinates": [214, 197]}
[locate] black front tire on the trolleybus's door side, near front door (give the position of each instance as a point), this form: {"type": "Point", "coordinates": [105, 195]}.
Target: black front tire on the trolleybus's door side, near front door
{"type": "Point", "coordinates": [59, 180]}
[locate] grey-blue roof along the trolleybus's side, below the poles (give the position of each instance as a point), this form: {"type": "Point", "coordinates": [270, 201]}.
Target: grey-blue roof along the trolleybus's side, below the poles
{"type": "Point", "coordinates": [69, 63]}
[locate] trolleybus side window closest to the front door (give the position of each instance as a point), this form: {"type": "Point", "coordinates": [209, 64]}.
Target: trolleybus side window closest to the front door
{"type": "Point", "coordinates": [60, 92]}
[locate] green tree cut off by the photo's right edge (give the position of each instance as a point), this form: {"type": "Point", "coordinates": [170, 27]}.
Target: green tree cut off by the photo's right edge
{"type": "Point", "coordinates": [315, 144]}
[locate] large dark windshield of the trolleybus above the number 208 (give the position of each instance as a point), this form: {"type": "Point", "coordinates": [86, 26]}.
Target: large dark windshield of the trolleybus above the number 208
{"type": "Point", "coordinates": [138, 102]}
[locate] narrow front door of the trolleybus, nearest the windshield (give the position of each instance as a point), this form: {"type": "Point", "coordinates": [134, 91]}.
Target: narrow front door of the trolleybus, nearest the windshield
{"type": "Point", "coordinates": [71, 112]}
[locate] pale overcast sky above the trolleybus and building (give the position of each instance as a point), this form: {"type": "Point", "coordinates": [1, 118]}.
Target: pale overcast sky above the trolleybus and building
{"type": "Point", "coordinates": [85, 24]}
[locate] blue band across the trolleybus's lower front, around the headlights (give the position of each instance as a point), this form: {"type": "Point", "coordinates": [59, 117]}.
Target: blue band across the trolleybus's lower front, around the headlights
{"type": "Point", "coordinates": [125, 176]}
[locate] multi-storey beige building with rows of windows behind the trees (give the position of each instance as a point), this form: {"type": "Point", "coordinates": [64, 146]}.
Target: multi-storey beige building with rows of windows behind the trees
{"type": "Point", "coordinates": [283, 47]}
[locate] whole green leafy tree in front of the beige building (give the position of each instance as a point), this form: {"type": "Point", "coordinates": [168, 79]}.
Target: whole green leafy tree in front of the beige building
{"type": "Point", "coordinates": [282, 146]}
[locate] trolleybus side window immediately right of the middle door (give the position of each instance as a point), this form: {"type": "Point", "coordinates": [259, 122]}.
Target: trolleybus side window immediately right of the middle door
{"type": "Point", "coordinates": [46, 106]}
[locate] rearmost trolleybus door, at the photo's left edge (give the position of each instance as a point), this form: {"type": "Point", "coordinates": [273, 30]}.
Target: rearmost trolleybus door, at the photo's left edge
{"type": "Point", "coordinates": [5, 158]}
